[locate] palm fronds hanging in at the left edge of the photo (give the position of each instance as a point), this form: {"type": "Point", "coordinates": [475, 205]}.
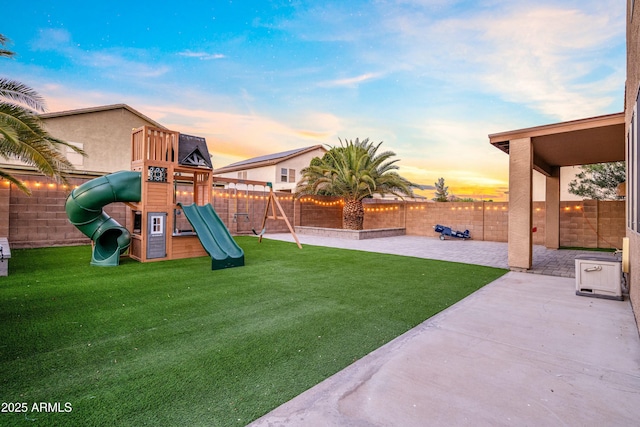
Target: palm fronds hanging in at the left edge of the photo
{"type": "Point", "coordinates": [22, 133]}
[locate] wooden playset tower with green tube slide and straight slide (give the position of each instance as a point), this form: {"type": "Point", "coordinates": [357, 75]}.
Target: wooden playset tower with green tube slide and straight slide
{"type": "Point", "coordinates": [168, 191]}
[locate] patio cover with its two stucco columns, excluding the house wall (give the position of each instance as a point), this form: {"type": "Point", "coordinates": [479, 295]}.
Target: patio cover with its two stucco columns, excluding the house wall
{"type": "Point", "coordinates": [545, 149]}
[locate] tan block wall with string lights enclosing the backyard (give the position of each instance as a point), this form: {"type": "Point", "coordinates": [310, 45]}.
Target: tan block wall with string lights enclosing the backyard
{"type": "Point", "coordinates": [40, 220]}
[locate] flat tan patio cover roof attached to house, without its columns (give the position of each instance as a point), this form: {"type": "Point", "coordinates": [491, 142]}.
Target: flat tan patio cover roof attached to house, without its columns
{"type": "Point", "coordinates": [597, 139]}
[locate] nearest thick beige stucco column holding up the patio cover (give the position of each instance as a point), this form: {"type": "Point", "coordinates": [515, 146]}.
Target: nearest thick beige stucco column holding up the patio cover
{"type": "Point", "coordinates": [520, 203]}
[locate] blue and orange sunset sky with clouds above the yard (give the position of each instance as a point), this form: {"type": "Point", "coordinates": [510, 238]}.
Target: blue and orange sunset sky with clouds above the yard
{"type": "Point", "coordinates": [430, 78]}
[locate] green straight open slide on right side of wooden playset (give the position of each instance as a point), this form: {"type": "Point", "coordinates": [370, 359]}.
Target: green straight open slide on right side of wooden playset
{"type": "Point", "coordinates": [214, 236]}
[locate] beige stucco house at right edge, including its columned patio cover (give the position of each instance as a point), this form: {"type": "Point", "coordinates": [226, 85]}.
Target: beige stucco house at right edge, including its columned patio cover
{"type": "Point", "coordinates": [547, 148]}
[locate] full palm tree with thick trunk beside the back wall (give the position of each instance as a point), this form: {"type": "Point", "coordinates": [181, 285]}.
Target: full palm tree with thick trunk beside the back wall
{"type": "Point", "coordinates": [354, 171]}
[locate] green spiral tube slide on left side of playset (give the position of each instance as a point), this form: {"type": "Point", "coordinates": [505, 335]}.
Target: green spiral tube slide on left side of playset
{"type": "Point", "coordinates": [84, 210]}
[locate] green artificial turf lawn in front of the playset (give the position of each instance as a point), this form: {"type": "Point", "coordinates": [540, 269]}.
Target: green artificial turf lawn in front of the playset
{"type": "Point", "coordinates": [175, 343]}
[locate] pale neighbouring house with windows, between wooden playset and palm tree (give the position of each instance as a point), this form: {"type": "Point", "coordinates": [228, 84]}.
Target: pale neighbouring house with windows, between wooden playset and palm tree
{"type": "Point", "coordinates": [281, 169]}
